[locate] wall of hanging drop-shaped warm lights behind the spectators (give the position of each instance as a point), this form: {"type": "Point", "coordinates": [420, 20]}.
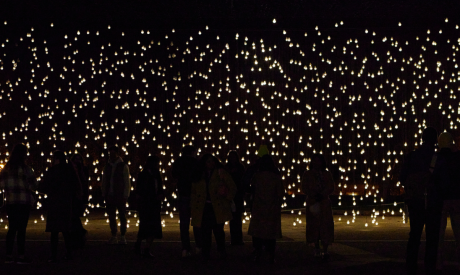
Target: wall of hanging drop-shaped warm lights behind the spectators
{"type": "Point", "coordinates": [361, 97]}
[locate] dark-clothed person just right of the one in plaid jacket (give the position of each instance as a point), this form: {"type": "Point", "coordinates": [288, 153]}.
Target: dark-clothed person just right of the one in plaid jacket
{"type": "Point", "coordinates": [62, 186]}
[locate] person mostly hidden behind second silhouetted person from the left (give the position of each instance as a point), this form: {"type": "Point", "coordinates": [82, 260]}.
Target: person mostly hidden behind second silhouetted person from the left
{"type": "Point", "coordinates": [78, 233]}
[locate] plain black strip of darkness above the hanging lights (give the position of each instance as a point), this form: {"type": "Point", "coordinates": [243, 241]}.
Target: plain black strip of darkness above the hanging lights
{"type": "Point", "coordinates": [227, 13]}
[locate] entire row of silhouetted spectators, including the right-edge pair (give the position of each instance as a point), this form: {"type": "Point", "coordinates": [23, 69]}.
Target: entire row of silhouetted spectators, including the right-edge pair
{"type": "Point", "coordinates": [211, 193]}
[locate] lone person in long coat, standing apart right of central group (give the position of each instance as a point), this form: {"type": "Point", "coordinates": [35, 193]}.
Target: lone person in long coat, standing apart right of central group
{"type": "Point", "coordinates": [318, 184]}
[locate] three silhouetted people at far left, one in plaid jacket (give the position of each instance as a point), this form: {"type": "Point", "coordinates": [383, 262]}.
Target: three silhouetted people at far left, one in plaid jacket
{"type": "Point", "coordinates": [66, 186]}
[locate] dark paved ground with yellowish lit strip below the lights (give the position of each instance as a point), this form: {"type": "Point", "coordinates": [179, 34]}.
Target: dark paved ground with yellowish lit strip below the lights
{"type": "Point", "coordinates": [375, 249]}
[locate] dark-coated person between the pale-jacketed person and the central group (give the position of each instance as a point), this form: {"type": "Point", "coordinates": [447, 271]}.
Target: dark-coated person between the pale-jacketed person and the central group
{"type": "Point", "coordinates": [150, 191]}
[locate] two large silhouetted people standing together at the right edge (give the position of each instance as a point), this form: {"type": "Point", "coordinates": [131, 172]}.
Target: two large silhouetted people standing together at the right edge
{"type": "Point", "coordinates": [431, 180]}
